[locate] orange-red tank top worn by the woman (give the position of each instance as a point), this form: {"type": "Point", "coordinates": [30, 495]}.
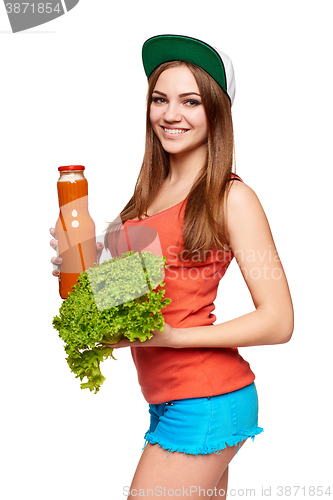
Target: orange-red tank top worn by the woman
{"type": "Point", "coordinates": [166, 374]}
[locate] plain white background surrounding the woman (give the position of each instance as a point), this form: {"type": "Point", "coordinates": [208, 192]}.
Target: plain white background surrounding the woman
{"type": "Point", "coordinates": [73, 92]}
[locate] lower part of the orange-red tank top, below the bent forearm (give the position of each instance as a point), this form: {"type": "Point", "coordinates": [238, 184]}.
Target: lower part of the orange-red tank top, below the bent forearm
{"type": "Point", "coordinates": [166, 374]}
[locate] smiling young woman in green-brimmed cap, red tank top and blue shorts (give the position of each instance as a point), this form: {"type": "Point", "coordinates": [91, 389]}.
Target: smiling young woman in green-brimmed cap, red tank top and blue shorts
{"type": "Point", "coordinates": [202, 398]}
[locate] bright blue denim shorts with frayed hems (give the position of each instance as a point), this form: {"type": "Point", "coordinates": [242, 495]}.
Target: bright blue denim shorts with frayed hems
{"type": "Point", "coordinates": [205, 425]}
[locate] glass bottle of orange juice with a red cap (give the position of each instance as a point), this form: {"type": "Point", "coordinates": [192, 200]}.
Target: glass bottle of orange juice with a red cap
{"type": "Point", "coordinates": [75, 229]}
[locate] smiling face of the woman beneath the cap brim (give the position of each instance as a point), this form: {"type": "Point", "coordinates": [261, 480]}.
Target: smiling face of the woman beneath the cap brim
{"type": "Point", "coordinates": [177, 114]}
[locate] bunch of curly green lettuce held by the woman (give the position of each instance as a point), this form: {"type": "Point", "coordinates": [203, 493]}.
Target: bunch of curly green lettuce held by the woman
{"type": "Point", "coordinates": [110, 301]}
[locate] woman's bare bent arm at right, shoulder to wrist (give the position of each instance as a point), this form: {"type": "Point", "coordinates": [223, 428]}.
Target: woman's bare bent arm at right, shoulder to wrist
{"type": "Point", "coordinates": [252, 244]}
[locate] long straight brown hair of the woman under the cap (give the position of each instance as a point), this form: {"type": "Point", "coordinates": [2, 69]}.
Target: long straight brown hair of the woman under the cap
{"type": "Point", "coordinates": [204, 218]}
